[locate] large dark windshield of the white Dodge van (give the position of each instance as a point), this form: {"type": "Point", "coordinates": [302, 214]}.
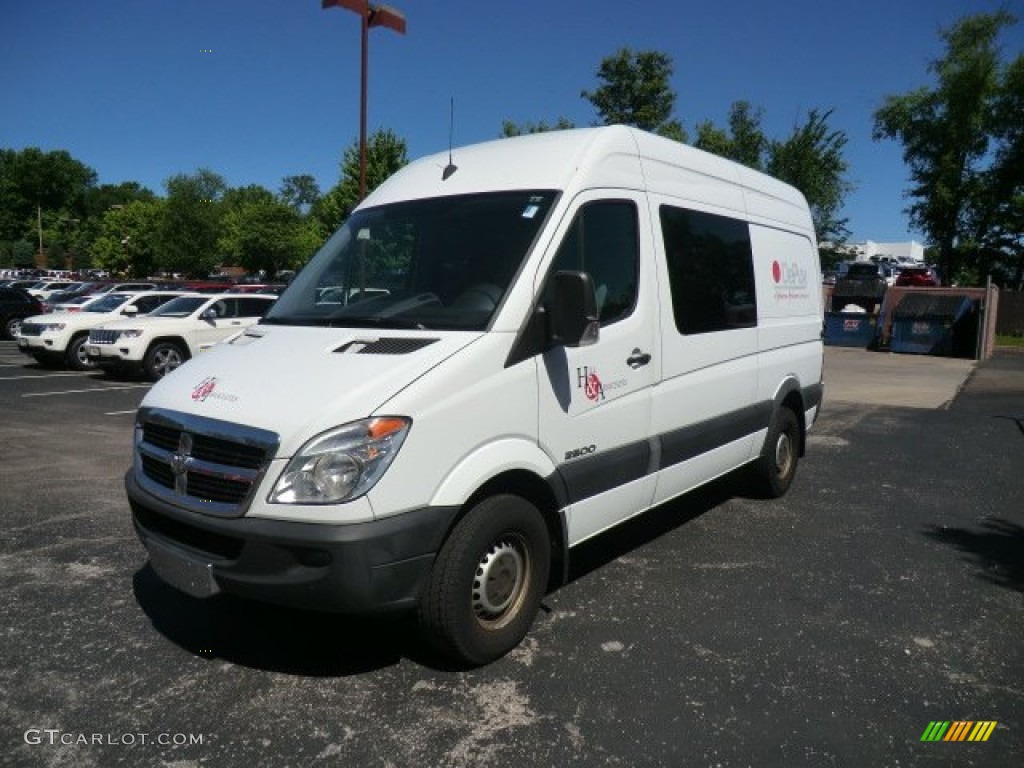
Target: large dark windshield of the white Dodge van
{"type": "Point", "coordinates": [440, 264]}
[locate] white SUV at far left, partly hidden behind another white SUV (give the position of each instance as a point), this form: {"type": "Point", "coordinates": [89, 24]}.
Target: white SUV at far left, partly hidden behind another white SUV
{"type": "Point", "coordinates": [62, 336]}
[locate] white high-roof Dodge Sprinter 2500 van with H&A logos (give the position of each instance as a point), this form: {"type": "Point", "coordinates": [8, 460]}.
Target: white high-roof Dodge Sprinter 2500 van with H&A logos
{"type": "Point", "coordinates": [536, 340]}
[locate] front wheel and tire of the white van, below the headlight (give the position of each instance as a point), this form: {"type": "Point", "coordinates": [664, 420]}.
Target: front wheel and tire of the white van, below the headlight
{"type": "Point", "coordinates": [487, 584]}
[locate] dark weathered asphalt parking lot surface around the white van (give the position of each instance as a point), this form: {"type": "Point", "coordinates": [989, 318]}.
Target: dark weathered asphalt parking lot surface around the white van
{"type": "Point", "coordinates": [829, 628]}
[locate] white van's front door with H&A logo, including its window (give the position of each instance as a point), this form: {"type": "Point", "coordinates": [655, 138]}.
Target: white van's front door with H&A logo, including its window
{"type": "Point", "coordinates": [595, 402]}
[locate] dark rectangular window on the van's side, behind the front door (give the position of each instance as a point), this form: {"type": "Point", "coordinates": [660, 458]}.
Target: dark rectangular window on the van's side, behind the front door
{"type": "Point", "coordinates": [711, 271]}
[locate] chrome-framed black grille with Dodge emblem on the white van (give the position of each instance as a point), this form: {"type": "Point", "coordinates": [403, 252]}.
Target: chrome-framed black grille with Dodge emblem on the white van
{"type": "Point", "coordinates": [205, 465]}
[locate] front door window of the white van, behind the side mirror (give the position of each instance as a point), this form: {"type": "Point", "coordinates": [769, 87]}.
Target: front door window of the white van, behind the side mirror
{"type": "Point", "coordinates": [604, 242]}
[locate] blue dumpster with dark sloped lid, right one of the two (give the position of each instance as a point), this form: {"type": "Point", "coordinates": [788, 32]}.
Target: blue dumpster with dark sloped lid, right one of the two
{"type": "Point", "coordinates": [924, 324]}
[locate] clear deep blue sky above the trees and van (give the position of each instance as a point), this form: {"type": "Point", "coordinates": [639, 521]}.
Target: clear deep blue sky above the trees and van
{"type": "Point", "coordinates": [261, 90]}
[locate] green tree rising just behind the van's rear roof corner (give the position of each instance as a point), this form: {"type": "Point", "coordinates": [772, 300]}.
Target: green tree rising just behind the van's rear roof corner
{"type": "Point", "coordinates": [812, 159]}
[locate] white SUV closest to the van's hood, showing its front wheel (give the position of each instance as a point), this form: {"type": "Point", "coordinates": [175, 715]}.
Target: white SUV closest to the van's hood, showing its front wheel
{"type": "Point", "coordinates": [180, 330]}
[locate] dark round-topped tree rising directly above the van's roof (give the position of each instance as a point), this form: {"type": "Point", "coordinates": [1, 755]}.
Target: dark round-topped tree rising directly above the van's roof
{"type": "Point", "coordinates": [635, 91]}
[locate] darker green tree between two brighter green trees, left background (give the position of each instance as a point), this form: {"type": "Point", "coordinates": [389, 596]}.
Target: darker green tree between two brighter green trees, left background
{"type": "Point", "coordinates": [190, 224]}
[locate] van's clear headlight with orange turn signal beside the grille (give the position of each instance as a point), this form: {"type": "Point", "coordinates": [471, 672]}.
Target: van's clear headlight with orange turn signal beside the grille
{"type": "Point", "coordinates": [343, 464]}
